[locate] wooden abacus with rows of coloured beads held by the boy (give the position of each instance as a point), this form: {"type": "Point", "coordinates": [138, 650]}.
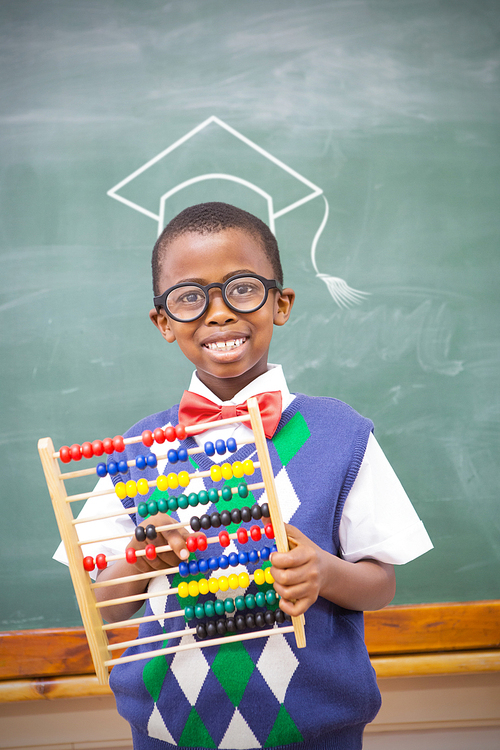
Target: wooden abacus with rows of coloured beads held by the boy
{"type": "Point", "coordinates": [215, 631]}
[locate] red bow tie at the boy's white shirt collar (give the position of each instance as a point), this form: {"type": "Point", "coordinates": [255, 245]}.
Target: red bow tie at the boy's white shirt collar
{"type": "Point", "coordinates": [195, 409]}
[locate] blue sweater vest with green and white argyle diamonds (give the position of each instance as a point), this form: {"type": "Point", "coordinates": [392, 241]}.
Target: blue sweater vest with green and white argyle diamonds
{"type": "Point", "coordinates": [263, 692]}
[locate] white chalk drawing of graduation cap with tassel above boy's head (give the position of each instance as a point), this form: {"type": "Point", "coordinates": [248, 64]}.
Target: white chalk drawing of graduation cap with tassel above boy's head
{"type": "Point", "coordinates": [219, 153]}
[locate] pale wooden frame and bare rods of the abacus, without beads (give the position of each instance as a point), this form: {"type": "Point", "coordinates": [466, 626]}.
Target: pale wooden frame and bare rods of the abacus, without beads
{"type": "Point", "coordinates": [95, 629]}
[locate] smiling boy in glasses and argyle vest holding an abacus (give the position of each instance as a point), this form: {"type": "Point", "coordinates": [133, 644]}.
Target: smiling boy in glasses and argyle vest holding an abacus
{"type": "Point", "coordinates": [218, 293]}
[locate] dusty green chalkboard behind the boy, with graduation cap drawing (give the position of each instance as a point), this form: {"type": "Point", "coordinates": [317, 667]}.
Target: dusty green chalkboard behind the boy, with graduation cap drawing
{"type": "Point", "coordinates": [116, 114]}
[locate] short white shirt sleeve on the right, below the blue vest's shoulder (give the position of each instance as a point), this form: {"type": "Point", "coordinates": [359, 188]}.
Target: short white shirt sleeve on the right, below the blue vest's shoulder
{"type": "Point", "coordinates": [378, 520]}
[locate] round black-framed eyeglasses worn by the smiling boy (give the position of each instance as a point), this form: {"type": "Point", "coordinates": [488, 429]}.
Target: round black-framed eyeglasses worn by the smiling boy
{"type": "Point", "coordinates": [189, 301]}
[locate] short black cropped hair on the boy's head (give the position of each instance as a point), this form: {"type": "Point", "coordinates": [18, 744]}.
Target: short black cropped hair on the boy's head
{"type": "Point", "coordinates": [208, 218]}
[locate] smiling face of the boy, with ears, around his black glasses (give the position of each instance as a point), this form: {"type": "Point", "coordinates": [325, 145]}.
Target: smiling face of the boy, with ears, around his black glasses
{"type": "Point", "coordinates": [216, 257]}
